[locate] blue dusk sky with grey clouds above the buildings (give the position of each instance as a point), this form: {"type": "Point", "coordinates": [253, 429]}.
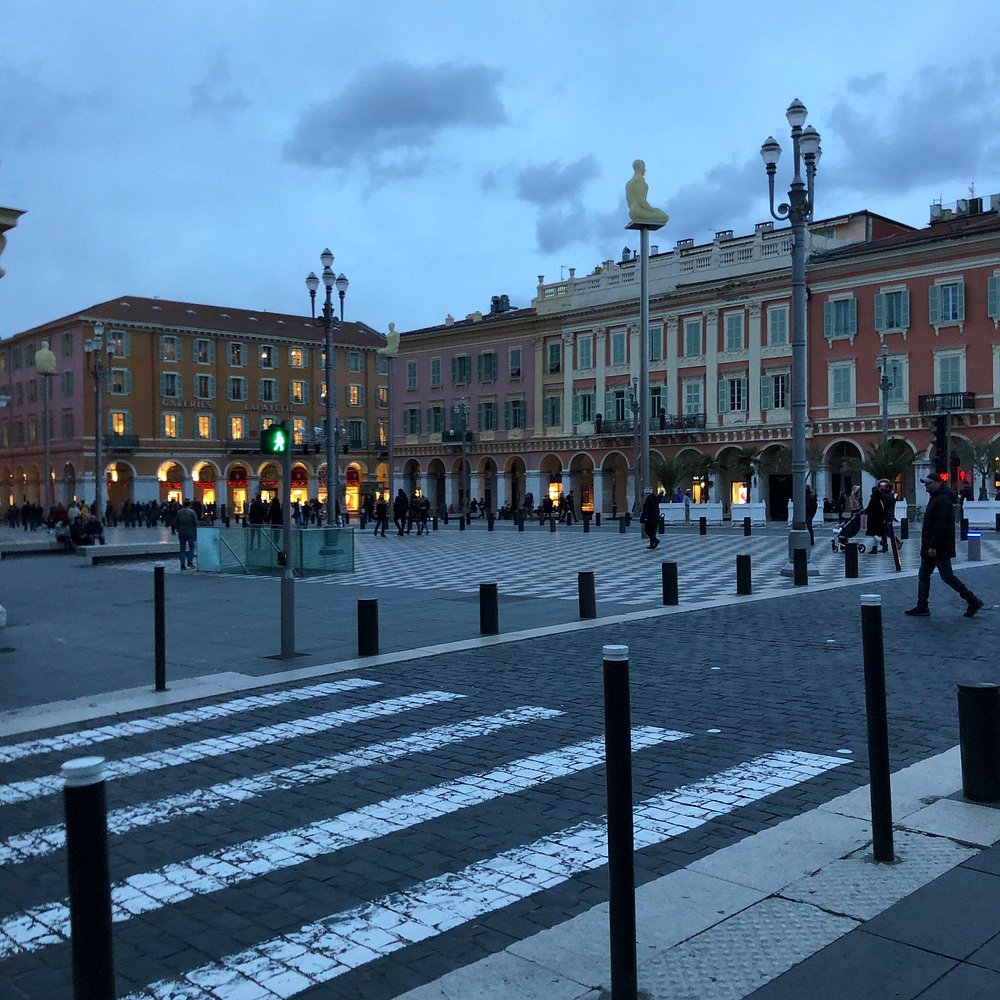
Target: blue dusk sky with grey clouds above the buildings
{"type": "Point", "coordinates": [450, 150]}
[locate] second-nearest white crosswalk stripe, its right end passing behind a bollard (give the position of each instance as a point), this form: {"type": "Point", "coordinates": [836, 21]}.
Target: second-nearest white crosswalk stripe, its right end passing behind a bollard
{"type": "Point", "coordinates": [149, 891]}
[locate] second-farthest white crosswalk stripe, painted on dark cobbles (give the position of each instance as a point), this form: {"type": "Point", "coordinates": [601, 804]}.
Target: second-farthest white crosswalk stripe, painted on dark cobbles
{"type": "Point", "coordinates": [23, 791]}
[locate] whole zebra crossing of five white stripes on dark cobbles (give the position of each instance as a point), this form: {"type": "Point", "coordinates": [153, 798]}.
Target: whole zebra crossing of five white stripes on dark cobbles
{"type": "Point", "coordinates": [263, 846]}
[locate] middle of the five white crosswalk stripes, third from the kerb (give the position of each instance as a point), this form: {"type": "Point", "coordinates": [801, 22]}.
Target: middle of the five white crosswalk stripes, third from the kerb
{"type": "Point", "coordinates": [37, 843]}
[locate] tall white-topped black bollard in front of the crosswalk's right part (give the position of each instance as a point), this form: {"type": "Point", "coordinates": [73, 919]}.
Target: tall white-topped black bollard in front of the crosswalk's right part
{"type": "Point", "coordinates": [621, 846]}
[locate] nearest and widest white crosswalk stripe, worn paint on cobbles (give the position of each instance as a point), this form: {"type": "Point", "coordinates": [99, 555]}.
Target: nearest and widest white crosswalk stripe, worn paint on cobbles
{"type": "Point", "coordinates": [323, 950]}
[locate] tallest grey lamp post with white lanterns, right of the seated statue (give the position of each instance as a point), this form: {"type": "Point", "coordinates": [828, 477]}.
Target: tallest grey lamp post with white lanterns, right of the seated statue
{"type": "Point", "coordinates": [798, 210]}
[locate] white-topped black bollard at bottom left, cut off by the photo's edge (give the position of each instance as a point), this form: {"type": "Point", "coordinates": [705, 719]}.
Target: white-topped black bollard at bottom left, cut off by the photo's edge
{"type": "Point", "coordinates": [89, 880]}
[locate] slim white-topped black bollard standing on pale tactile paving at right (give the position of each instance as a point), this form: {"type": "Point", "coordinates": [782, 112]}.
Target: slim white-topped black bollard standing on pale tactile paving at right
{"type": "Point", "coordinates": [878, 727]}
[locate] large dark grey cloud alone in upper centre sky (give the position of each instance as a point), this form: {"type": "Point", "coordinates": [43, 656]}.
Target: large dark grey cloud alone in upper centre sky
{"type": "Point", "coordinates": [388, 113]}
